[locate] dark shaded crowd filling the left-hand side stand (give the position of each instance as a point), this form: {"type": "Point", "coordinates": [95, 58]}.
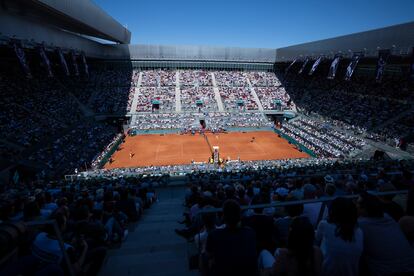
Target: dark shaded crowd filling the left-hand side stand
{"type": "Point", "coordinates": [42, 122]}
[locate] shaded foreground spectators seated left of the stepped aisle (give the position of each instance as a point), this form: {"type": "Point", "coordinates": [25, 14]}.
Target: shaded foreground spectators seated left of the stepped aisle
{"type": "Point", "coordinates": [91, 216]}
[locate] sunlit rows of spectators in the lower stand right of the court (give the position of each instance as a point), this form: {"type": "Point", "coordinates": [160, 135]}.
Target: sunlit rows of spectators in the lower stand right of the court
{"type": "Point", "coordinates": [322, 138]}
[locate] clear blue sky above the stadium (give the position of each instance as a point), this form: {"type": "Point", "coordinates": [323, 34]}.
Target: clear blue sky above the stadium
{"type": "Point", "coordinates": [255, 23]}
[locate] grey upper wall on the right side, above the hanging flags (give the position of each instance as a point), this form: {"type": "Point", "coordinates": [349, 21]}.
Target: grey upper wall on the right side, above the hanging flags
{"type": "Point", "coordinates": [399, 38]}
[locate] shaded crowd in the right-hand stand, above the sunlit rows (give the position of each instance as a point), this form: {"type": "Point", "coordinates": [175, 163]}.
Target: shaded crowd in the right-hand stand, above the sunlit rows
{"type": "Point", "coordinates": [362, 105]}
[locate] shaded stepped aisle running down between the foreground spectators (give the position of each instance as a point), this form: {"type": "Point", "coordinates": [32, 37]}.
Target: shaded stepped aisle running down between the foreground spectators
{"type": "Point", "coordinates": [153, 248]}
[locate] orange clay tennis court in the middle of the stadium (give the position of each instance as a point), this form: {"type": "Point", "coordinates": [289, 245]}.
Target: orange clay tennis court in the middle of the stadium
{"type": "Point", "coordinates": [176, 149]}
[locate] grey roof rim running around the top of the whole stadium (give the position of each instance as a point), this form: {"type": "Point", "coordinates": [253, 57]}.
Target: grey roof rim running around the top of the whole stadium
{"type": "Point", "coordinates": [70, 24]}
